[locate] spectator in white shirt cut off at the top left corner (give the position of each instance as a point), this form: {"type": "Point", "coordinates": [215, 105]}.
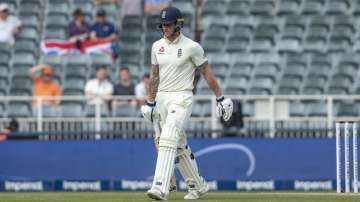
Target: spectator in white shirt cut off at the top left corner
{"type": "Point", "coordinates": [9, 25]}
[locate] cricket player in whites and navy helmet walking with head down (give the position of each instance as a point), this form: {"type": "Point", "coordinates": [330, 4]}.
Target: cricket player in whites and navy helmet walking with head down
{"type": "Point", "coordinates": [174, 59]}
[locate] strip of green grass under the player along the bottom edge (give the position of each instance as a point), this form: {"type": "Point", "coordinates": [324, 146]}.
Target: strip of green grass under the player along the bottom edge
{"type": "Point", "coordinates": [211, 197]}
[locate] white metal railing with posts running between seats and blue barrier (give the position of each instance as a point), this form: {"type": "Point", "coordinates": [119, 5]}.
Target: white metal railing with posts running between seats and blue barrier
{"type": "Point", "coordinates": [271, 118]}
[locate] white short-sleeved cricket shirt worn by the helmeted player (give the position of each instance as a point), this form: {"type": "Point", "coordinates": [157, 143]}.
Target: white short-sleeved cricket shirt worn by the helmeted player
{"type": "Point", "coordinates": [177, 62]}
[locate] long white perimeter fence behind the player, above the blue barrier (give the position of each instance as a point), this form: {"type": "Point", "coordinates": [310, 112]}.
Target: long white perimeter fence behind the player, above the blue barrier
{"type": "Point", "coordinates": [265, 116]}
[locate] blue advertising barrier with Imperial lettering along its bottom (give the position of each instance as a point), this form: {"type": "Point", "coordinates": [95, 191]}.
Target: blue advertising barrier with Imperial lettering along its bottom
{"type": "Point", "coordinates": [243, 164]}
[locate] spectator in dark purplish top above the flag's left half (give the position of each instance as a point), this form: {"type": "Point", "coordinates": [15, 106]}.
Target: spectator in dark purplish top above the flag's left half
{"type": "Point", "coordinates": [78, 29]}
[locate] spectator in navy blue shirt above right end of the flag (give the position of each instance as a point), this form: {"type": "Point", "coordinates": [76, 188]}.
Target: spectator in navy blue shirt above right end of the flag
{"type": "Point", "coordinates": [102, 29]}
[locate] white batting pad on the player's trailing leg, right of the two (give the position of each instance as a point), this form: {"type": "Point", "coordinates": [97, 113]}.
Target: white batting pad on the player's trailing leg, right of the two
{"type": "Point", "coordinates": [186, 163]}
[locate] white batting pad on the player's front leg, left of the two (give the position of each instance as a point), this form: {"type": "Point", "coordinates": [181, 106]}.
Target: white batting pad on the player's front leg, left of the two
{"type": "Point", "coordinates": [166, 157]}
